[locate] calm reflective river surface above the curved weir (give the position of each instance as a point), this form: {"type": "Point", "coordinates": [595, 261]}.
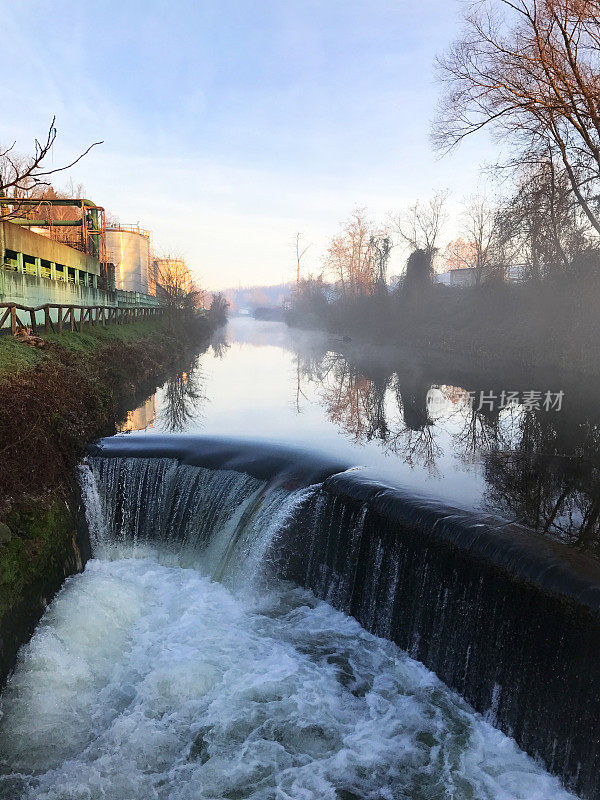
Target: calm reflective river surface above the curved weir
{"type": "Point", "coordinates": [510, 442]}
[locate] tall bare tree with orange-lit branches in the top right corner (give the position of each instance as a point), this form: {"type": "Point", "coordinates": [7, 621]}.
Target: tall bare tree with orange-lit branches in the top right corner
{"type": "Point", "coordinates": [531, 72]}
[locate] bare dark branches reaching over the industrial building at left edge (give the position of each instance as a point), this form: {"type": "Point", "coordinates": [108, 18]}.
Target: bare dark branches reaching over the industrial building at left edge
{"type": "Point", "coordinates": [29, 176]}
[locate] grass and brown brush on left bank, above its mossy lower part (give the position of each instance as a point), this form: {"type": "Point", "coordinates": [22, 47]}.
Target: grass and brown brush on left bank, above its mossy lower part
{"type": "Point", "coordinates": [58, 392]}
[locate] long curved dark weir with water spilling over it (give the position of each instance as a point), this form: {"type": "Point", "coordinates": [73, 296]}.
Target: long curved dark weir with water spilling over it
{"type": "Point", "coordinates": [507, 618]}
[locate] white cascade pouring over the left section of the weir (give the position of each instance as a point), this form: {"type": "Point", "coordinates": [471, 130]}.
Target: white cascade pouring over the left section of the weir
{"type": "Point", "coordinates": [223, 519]}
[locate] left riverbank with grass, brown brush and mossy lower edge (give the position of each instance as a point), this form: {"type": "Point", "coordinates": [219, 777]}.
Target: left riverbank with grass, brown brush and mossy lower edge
{"type": "Point", "coordinates": [57, 393]}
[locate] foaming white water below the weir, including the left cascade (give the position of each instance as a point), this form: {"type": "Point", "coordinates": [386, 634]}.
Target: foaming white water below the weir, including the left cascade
{"type": "Point", "coordinates": [148, 678]}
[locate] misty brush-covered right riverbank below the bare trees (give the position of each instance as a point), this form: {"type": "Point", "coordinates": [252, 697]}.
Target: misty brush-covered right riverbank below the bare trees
{"type": "Point", "coordinates": [553, 325]}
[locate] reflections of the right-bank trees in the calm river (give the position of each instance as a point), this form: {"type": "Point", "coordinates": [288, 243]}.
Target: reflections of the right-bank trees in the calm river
{"type": "Point", "coordinates": [542, 468]}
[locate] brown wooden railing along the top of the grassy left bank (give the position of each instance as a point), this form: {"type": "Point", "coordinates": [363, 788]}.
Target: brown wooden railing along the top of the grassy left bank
{"type": "Point", "coordinates": [12, 316]}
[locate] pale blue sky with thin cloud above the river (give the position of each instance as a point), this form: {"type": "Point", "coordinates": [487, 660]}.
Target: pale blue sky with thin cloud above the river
{"type": "Point", "coordinates": [230, 126]}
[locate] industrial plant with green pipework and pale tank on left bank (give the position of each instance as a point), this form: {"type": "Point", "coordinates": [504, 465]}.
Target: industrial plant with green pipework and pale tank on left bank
{"type": "Point", "coordinates": [55, 250]}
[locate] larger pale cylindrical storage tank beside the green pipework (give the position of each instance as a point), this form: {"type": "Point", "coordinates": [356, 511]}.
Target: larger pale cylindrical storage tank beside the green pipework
{"type": "Point", "coordinates": [129, 251]}
